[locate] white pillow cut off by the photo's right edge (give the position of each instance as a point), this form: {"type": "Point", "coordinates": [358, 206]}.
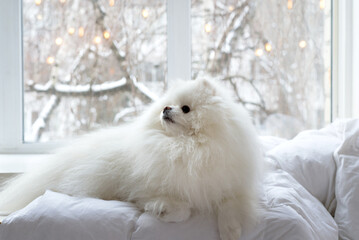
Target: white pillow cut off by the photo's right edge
{"type": "Point", "coordinates": [347, 182]}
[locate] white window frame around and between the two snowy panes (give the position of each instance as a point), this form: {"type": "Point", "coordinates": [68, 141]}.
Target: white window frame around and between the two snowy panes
{"type": "Point", "coordinates": [345, 77]}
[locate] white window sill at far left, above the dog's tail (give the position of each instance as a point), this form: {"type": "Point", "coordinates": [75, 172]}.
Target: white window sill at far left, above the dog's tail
{"type": "Point", "coordinates": [19, 163]}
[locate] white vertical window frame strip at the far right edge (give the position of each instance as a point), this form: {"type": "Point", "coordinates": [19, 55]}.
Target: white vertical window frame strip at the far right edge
{"type": "Point", "coordinates": [345, 59]}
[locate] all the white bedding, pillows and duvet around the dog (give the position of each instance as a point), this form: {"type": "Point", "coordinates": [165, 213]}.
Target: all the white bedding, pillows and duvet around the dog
{"type": "Point", "coordinates": [296, 196]}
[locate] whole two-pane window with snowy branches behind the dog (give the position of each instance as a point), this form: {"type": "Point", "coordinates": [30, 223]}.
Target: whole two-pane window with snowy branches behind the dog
{"type": "Point", "coordinates": [68, 67]}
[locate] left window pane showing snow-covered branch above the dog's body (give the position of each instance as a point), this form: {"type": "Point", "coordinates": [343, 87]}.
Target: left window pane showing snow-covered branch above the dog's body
{"type": "Point", "coordinates": [90, 63]}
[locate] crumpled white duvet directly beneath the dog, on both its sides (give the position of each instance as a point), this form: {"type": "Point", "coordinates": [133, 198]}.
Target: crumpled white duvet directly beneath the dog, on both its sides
{"type": "Point", "coordinates": [290, 212]}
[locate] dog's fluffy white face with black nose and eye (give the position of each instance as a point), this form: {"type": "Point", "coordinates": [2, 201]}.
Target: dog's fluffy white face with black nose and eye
{"type": "Point", "coordinates": [190, 108]}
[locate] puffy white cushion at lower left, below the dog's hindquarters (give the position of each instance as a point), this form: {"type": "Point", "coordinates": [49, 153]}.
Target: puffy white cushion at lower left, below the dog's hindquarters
{"type": "Point", "coordinates": [56, 216]}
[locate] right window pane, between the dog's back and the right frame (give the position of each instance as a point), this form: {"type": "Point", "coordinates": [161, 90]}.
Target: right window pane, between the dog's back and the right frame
{"type": "Point", "coordinates": [274, 55]}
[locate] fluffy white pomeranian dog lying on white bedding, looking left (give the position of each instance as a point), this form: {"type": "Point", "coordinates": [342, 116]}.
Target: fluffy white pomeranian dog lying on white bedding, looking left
{"type": "Point", "coordinates": [193, 150]}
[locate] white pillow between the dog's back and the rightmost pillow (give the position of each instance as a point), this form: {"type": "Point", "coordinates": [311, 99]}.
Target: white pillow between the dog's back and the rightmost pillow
{"type": "Point", "coordinates": [309, 159]}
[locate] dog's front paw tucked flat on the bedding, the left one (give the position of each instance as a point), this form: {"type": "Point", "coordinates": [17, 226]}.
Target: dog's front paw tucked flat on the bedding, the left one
{"type": "Point", "coordinates": [168, 211]}
